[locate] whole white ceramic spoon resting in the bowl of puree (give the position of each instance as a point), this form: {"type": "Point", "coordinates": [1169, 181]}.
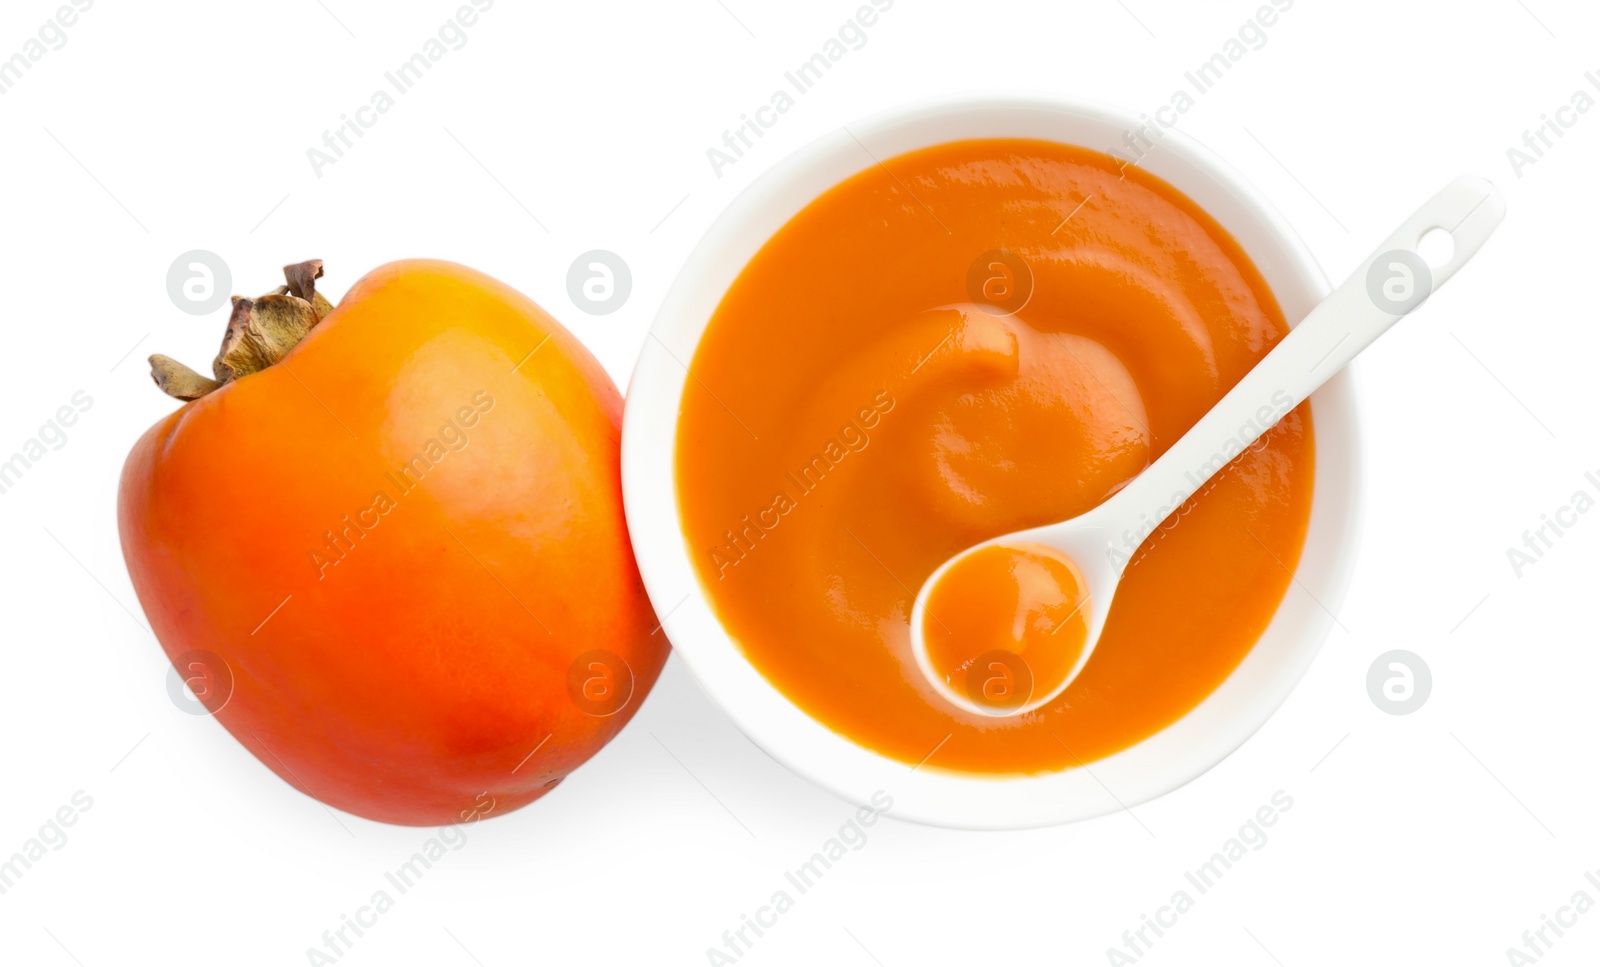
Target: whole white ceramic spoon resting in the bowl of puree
{"type": "Point", "coordinates": [1100, 544]}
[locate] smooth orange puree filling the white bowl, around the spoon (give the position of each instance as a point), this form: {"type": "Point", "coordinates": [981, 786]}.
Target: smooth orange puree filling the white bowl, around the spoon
{"type": "Point", "coordinates": [854, 420]}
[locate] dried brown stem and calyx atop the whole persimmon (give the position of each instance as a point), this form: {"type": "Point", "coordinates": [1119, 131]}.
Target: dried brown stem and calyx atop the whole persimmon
{"type": "Point", "coordinates": [258, 335]}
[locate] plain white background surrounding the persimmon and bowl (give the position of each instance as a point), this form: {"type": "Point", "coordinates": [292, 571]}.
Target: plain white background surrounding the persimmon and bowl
{"type": "Point", "coordinates": [1434, 838]}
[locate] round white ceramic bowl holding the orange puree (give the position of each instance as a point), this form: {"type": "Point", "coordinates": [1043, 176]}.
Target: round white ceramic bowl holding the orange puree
{"type": "Point", "coordinates": [1156, 766]}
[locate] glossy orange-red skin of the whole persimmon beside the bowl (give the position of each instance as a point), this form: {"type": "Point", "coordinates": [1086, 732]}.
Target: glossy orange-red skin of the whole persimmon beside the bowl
{"type": "Point", "coordinates": [401, 539]}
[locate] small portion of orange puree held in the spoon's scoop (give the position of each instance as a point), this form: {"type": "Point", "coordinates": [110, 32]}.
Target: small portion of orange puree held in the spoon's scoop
{"type": "Point", "coordinates": [1007, 624]}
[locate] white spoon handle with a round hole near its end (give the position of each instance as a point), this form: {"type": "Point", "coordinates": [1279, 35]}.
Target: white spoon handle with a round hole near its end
{"type": "Point", "coordinates": [1394, 281]}
